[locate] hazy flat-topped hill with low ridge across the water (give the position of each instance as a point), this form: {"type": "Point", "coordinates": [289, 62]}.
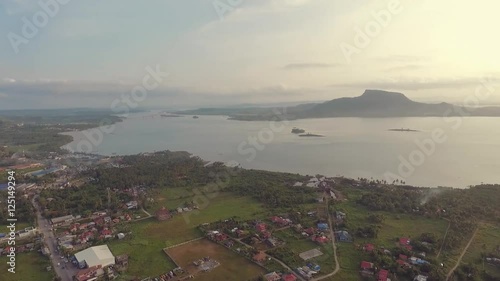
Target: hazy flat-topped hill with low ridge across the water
{"type": "Point", "coordinates": [371, 104]}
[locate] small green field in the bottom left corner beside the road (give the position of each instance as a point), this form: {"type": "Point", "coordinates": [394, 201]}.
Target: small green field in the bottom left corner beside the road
{"type": "Point", "coordinates": [29, 267]}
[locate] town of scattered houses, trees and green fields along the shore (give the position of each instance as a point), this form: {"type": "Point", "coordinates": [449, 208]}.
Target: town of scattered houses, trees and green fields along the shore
{"type": "Point", "coordinates": [97, 224]}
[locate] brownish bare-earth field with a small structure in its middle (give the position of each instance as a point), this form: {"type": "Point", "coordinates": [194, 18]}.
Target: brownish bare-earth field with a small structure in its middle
{"type": "Point", "coordinates": [232, 266]}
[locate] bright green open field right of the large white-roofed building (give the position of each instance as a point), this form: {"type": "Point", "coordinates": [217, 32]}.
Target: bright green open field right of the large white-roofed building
{"type": "Point", "coordinates": [150, 236]}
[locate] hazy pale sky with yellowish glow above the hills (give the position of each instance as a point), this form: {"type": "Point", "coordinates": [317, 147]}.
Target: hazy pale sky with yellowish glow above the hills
{"type": "Point", "coordinates": [88, 53]}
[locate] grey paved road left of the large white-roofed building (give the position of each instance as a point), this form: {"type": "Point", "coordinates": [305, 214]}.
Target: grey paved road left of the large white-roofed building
{"type": "Point", "coordinates": [51, 242]}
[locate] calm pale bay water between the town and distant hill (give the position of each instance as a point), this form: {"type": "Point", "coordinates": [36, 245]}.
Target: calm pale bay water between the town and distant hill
{"type": "Point", "coordinates": [454, 152]}
